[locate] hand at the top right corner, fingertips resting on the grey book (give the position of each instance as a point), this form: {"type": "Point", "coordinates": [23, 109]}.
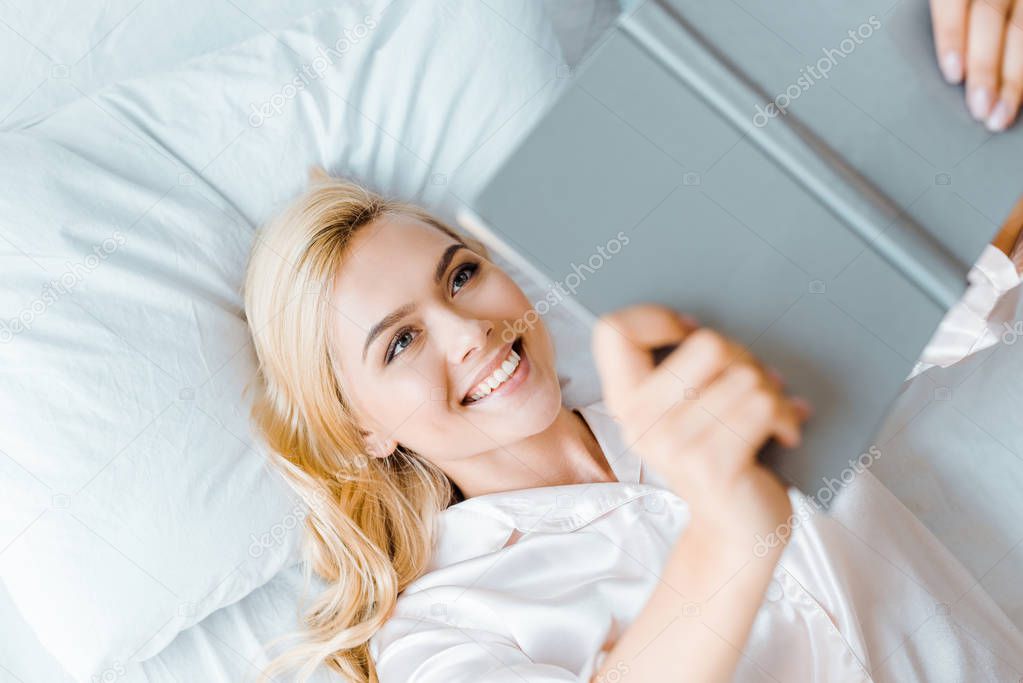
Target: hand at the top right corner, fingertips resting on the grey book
{"type": "Point", "coordinates": [983, 40]}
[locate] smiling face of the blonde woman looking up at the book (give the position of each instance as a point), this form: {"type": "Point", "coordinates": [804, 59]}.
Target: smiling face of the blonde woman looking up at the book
{"type": "Point", "coordinates": [419, 321]}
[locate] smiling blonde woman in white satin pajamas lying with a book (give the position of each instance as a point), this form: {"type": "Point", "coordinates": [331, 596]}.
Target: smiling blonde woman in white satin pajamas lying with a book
{"type": "Point", "coordinates": [473, 528]}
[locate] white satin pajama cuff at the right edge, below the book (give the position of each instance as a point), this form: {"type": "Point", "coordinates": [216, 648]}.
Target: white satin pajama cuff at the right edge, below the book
{"type": "Point", "coordinates": [982, 318]}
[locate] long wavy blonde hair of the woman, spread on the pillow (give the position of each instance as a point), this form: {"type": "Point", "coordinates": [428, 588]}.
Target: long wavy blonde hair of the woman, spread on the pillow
{"type": "Point", "coordinates": [371, 527]}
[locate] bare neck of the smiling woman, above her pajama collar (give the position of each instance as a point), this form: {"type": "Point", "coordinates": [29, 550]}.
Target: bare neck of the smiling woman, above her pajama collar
{"type": "Point", "coordinates": [567, 452]}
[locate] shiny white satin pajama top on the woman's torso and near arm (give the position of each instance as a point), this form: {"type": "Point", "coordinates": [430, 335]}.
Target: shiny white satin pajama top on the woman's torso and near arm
{"type": "Point", "coordinates": [537, 585]}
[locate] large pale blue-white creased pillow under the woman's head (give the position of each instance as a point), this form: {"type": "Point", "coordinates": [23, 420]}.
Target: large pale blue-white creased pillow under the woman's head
{"type": "Point", "coordinates": [138, 499]}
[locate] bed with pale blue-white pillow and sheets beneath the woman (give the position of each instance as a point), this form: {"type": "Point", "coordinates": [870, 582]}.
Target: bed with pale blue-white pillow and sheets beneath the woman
{"type": "Point", "coordinates": [123, 555]}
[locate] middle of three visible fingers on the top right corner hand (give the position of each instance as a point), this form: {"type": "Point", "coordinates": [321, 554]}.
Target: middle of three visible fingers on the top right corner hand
{"type": "Point", "coordinates": [987, 28]}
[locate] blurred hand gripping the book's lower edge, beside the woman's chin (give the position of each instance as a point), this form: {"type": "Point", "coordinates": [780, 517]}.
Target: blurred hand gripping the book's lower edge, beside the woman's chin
{"type": "Point", "coordinates": [699, 418]}
